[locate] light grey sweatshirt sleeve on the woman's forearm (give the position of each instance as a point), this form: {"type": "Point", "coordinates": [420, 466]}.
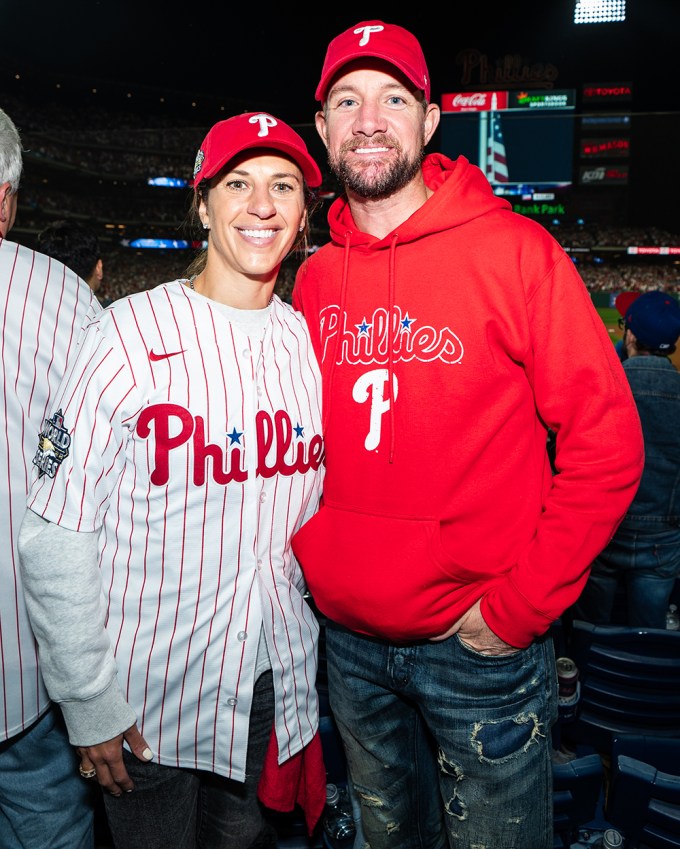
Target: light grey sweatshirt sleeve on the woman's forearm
{"type": "Point", "coordinates": [62, 587]}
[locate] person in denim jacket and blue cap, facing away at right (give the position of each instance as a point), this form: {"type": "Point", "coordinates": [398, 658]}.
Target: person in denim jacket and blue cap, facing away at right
{"type": "Point", "coordinates": [643, 556]}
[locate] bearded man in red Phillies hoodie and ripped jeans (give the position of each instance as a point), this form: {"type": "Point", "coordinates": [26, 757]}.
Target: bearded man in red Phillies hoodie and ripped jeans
{"type": "Point", "coordinates": [445, 547]}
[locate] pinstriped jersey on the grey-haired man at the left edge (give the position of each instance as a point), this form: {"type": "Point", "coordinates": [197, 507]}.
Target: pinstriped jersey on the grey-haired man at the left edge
{"type": "Point", "coordinates": [44, 308]}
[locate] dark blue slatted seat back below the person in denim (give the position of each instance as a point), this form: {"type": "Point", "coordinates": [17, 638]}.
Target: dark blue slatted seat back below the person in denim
{"type": "Point", "coordinates": [629, 682]}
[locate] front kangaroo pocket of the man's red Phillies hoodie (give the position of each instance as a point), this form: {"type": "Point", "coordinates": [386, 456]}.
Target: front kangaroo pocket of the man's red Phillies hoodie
{"type": "Point", "coordinates": [386, 576]}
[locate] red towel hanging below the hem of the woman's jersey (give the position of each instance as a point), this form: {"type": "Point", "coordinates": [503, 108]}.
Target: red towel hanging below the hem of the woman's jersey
{"type": "Point", "coordinates": [301, 780]}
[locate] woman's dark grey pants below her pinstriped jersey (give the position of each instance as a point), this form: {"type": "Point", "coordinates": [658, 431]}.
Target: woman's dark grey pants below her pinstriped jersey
{"type": "Point", "coordinates": [173, 808]}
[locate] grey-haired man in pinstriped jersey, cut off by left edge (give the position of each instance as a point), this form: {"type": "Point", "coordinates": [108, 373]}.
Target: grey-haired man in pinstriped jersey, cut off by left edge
{"type": "Point", "coordinates": [43, 800]}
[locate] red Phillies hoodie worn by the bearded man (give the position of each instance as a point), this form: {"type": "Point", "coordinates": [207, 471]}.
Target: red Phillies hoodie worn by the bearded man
{"type": "Point", "coordinates": [446, 349]}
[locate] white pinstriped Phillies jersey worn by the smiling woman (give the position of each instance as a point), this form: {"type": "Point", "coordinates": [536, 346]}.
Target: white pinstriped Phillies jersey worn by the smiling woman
{"type": "Point", "coordinates": [196, 447]}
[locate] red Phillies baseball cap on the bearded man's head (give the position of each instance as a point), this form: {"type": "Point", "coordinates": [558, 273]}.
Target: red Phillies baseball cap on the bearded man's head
{"type": "Point", "coordinates": [390, 42]}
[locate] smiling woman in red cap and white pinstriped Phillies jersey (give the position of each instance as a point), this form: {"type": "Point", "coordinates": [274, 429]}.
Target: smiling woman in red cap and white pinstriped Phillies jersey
{"type": "Point", "coordinates": [182, 451]}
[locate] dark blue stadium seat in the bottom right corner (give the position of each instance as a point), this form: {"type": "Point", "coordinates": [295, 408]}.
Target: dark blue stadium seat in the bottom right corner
{"type": "Point", "coordinates": [644, 795]}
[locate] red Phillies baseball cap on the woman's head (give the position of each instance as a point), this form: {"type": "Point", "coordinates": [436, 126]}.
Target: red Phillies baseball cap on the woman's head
{"type": "Point", "coordinates": [252, 129]}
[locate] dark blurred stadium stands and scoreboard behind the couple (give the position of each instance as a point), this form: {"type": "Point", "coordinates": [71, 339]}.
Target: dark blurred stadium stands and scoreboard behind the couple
{"type": "Point", "coordinates": [576, 123]}
